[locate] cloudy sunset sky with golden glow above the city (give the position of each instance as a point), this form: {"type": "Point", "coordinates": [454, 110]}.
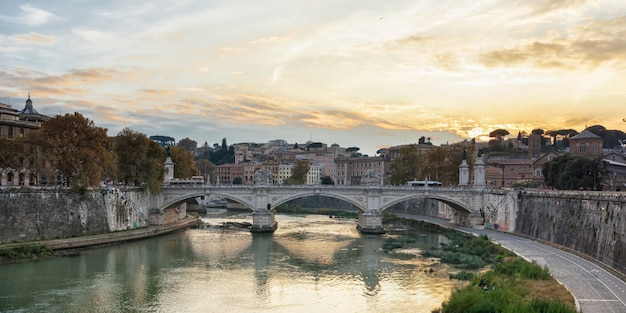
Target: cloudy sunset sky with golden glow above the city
{"type": "Point", "coordinates": [358, 73]}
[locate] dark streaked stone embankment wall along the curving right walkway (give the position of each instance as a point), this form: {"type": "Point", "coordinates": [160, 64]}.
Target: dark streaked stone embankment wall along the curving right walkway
{"type": "Point", "coordinates": [592, 223]}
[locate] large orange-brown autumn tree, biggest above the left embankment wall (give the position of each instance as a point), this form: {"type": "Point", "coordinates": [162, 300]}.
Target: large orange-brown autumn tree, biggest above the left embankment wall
{"type": "Point", "coordinates": [82, 150]}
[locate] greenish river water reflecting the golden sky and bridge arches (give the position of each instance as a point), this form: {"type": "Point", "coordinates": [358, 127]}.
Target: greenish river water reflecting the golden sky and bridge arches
{"type": "Point", "coordinates": [312, 263]}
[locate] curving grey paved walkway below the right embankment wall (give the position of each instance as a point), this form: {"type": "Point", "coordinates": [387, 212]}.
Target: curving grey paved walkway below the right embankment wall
{"type": "Point", "coordinates": [595, 289]}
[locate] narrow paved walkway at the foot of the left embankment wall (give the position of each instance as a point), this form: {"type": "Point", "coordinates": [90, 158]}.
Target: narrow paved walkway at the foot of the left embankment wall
{"type": "Point", "coordinates": [108, 238]}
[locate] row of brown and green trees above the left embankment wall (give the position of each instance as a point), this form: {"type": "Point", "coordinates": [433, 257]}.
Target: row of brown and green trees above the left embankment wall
{"type": "Point", "coordinates": [71, 150]}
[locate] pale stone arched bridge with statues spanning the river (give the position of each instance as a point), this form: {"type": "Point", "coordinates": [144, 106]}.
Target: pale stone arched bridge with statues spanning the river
{"type": "Point", "coordinates": [469, 204]}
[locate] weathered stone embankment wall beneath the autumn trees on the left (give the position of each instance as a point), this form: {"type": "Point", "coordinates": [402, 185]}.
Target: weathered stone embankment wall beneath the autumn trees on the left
{"type": "Point", "coordinates": [36, 214]}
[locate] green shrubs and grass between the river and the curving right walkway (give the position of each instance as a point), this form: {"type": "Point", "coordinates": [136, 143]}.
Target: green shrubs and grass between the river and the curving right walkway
{"type": "Point", "coordinates": [498, 280]}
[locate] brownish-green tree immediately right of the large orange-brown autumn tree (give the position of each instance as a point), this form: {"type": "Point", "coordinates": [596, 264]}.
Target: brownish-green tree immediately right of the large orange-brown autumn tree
{"type": "Point", "coordinates": [140, 160]}
